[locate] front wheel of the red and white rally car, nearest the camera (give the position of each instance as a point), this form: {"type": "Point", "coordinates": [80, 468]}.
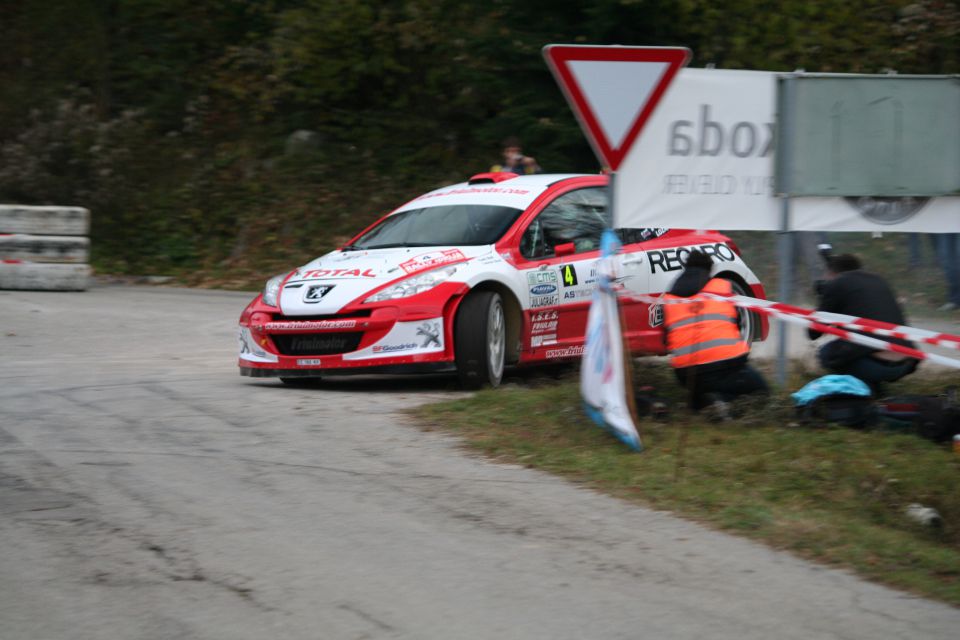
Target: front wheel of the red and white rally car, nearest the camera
{"type": "Point", "coordinates": [480, 339]}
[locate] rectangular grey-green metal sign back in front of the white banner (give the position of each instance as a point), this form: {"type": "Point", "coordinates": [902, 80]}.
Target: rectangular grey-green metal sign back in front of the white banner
{"type": "Point", "coordinates": [856, 135]}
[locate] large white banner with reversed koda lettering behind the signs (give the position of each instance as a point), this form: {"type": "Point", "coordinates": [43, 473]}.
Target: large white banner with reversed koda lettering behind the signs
{"type": "Point", "coordinates": [705, 161]}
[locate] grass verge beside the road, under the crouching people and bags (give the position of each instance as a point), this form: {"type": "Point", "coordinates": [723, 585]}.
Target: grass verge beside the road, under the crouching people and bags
{"type": "Point", "coordinates": [828, 493]}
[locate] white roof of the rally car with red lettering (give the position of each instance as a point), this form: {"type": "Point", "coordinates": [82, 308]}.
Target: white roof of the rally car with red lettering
{"type": "Point", "coordinates": [518, 192]}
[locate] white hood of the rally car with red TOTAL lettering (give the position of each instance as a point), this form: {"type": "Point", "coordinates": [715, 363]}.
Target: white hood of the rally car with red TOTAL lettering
{"type": "Point", "coordinates": [327, 284]}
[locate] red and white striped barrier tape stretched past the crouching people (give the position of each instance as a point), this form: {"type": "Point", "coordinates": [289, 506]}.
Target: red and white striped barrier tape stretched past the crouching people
{"type": "Point", "coordinates": [838, 325]}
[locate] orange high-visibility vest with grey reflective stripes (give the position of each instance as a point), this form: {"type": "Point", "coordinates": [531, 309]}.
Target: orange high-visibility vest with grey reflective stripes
{"type": "Point", "coordinates": [703, 331]}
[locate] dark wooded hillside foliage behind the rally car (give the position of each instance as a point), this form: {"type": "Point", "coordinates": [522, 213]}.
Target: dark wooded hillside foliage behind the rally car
{"type": "Point", "coordinates": [169, 117]}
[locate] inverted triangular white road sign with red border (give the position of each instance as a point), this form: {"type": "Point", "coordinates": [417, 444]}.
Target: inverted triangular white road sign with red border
{"type": "Point", "coordinates": [614, 90]}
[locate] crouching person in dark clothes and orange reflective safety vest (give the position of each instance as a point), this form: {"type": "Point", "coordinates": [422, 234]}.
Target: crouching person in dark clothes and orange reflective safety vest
{"type": "Point", "coordinates": [707, 352]}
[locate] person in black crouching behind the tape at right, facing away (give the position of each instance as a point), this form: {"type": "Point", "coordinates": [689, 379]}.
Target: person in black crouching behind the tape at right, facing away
{"type": "Point", "coordinates": [854, 292]}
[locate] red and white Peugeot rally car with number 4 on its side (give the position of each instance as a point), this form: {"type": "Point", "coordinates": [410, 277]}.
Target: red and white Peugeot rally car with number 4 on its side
{"type": "Point", "coordinates": [471, 278]}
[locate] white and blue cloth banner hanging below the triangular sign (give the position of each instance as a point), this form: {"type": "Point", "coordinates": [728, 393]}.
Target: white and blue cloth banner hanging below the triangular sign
{"type": "Point", "coordinates": [604, 379]}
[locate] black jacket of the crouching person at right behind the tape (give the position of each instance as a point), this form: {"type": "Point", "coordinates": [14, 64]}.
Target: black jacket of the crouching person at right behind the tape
{"type": "Point", "coordinates": [865, 295]}
